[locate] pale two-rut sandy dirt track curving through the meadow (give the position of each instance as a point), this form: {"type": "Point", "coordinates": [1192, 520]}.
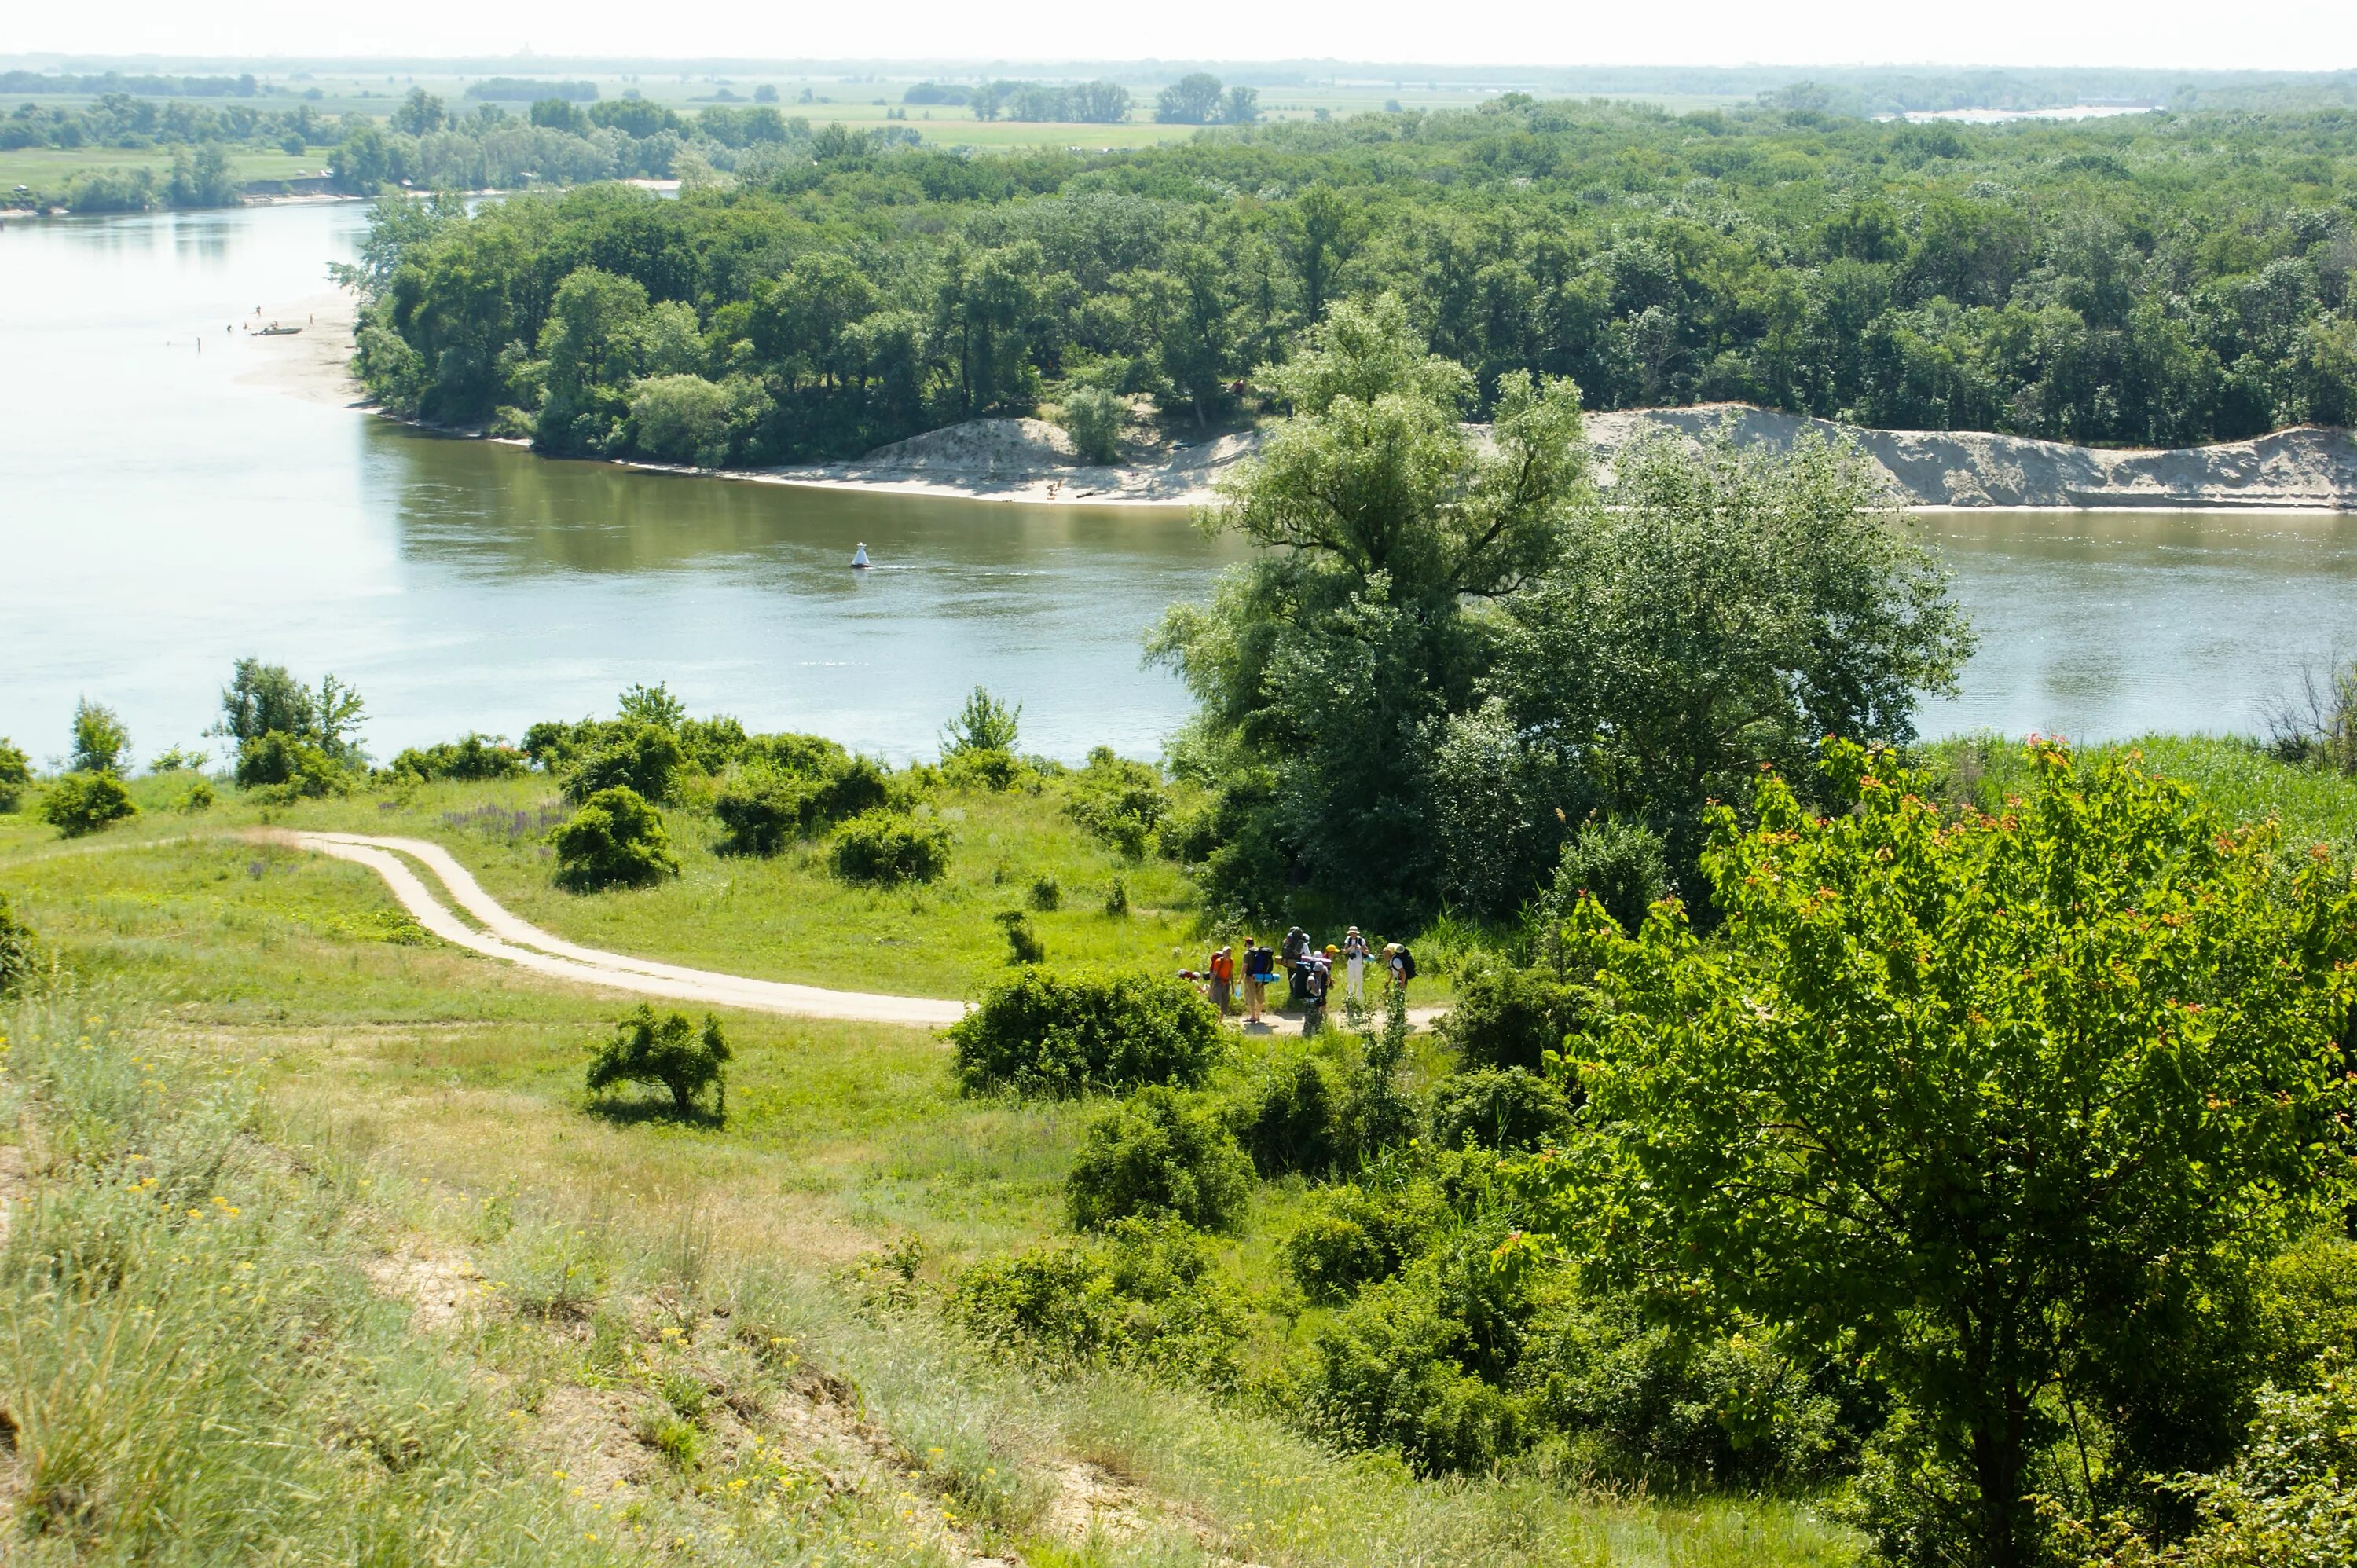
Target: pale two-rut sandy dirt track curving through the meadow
{"type": "Point", "coordinates": [532, 949]}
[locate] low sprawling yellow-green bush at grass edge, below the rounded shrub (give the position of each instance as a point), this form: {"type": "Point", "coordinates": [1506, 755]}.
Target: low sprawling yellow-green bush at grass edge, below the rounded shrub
{"type": "Point", "coordinates": [1144, 1296]}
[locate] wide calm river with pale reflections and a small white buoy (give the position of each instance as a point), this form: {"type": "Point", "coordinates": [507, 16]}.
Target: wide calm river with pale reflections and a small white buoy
{"type": "Point", "coordinates": [169, 508]}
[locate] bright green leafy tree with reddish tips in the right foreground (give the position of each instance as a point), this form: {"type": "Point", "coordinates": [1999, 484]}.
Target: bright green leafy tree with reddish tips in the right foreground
{"type": "Point", "coordinates": [2014, 1107]}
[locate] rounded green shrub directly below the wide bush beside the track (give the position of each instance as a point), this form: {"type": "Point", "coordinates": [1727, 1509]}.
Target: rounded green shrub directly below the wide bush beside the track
{"type": "Point", "coordinates": [1158, 1154]}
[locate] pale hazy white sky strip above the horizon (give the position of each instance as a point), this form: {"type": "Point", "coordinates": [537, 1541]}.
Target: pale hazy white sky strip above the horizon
{"type": "Point", "coordinates": [2177, 34]}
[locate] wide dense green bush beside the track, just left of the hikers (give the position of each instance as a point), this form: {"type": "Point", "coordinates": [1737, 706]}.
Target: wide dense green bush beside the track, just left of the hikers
{"type": "Point", "coordinates": [1062, 1036]}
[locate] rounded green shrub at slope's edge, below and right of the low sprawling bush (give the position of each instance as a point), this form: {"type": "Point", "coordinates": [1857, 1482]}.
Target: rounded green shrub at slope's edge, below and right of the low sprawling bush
{"type": "Point", "coordinates": [1387, 1376]}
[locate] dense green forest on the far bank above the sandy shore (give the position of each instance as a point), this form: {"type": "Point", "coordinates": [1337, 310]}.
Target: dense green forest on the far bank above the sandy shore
{"type": "Point", "coordinates": [2155, 279]}
